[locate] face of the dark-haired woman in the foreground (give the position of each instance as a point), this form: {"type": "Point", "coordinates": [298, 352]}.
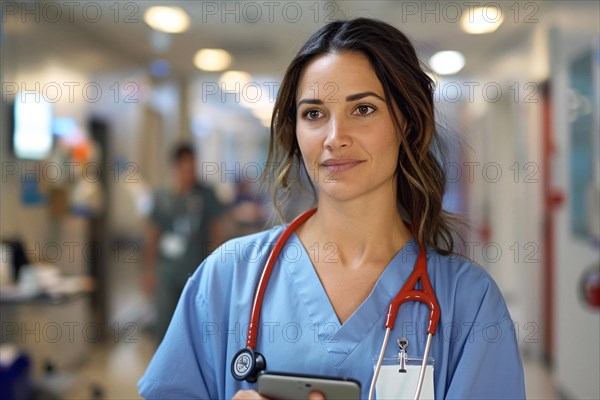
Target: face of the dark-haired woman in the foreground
{"type": "Point", "coordinates": [344, 129]}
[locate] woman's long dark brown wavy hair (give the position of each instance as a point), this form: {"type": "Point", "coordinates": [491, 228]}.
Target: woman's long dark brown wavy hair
{"type": "Point", "coordinates": [420, 174]}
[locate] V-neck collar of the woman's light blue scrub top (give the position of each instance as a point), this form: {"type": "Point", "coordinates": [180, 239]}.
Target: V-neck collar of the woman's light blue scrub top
{"type": "Point", "coordinates": [341, 339]}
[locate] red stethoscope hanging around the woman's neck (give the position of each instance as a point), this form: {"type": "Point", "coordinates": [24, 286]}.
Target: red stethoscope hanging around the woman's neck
{"type": "Point", "coordinates": [248, 363]}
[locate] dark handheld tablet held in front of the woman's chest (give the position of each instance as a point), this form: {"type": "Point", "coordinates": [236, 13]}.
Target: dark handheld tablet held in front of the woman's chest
{"type": "Point", "coordinates": [284, 386]}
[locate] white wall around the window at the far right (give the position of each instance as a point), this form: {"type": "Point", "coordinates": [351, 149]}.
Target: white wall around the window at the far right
{"type": "Point", "coordinates": [577, 327]}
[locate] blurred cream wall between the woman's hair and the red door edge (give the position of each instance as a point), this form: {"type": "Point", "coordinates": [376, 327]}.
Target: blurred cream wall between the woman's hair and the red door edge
{"type": "Point", "coordinates": [503, 130]}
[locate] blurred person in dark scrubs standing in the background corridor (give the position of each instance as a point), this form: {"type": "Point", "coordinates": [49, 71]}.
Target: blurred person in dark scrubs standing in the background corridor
{"type": "Point", "coordinates": [184, 227]}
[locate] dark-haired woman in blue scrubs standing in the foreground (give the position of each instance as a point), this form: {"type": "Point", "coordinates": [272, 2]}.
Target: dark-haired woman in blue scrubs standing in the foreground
{"type": "Point", "coordinates": [356, 112]}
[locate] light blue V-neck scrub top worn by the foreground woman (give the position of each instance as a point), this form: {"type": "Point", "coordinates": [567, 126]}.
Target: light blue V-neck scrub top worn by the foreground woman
{"type": "Point", "coordinates": [475, 347]}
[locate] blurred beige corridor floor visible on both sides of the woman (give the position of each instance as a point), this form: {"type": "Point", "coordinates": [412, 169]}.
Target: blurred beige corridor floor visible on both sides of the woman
{"type": "Point", "coordinates": [112, 371]}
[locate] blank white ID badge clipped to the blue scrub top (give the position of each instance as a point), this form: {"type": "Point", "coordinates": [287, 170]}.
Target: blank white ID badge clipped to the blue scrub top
{"type": "Point", "coordinates": [393, 384]}
